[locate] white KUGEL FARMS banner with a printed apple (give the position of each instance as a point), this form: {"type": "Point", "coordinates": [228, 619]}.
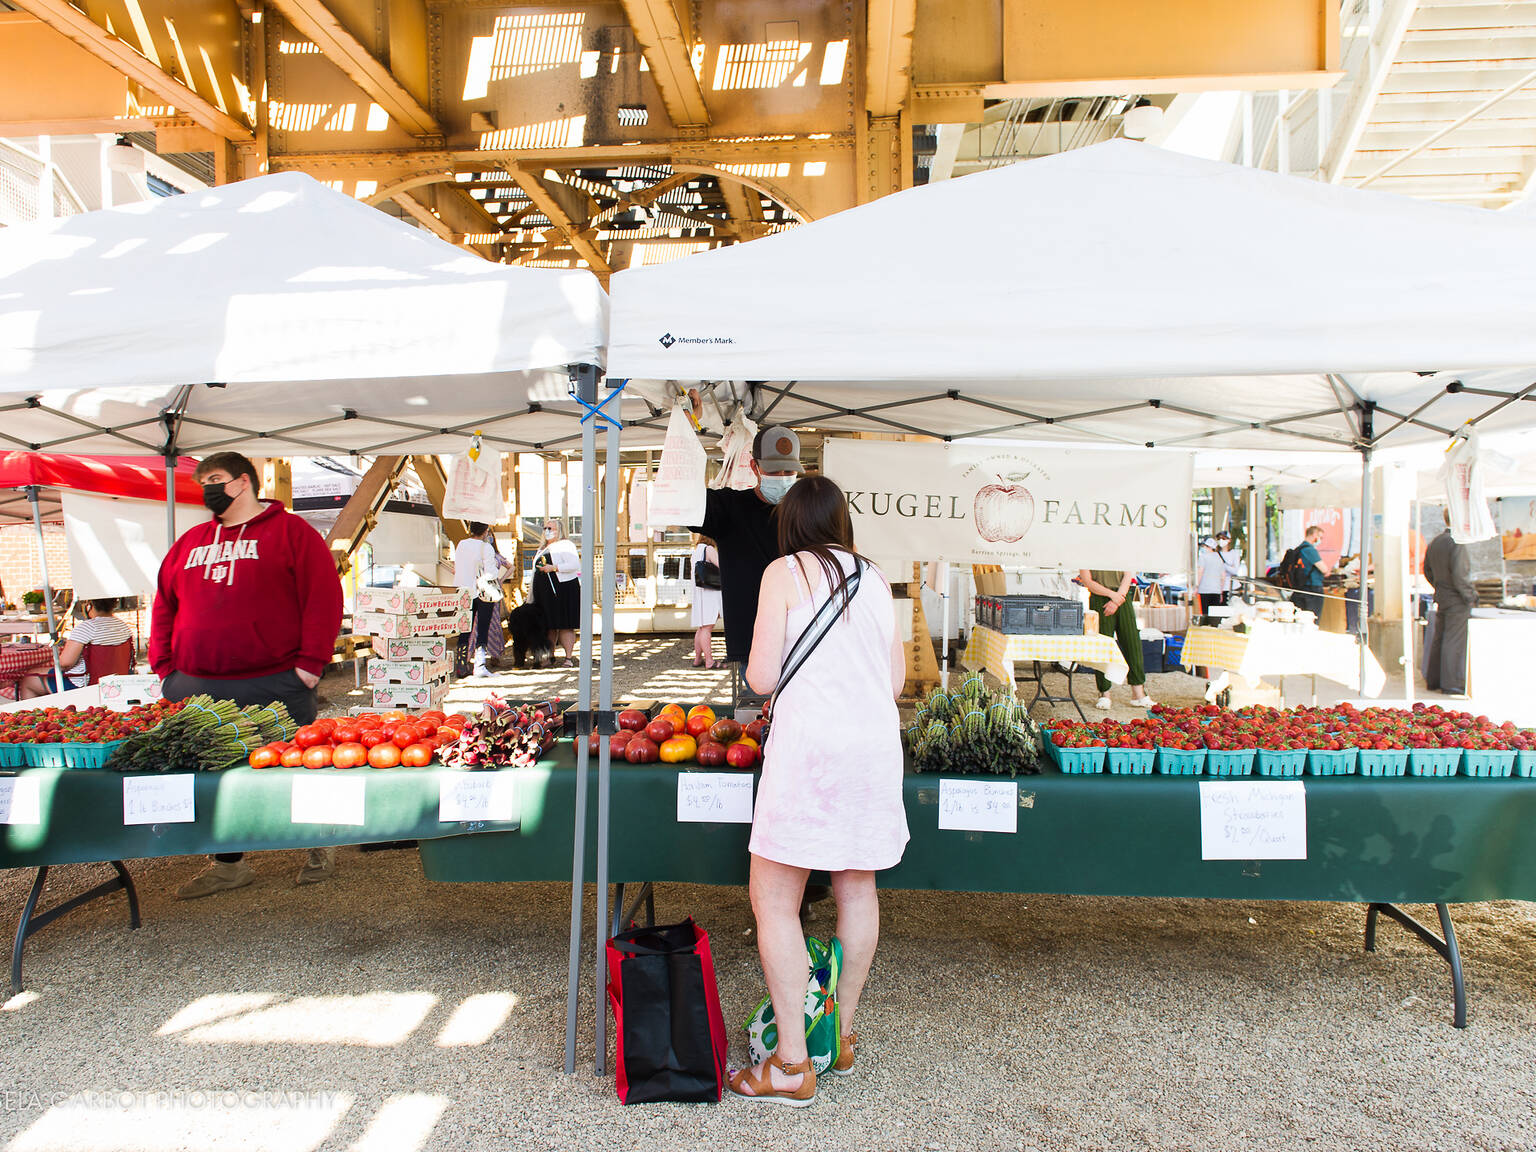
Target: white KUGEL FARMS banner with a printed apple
{"type": "Point", "coordinates": [1038, 508]}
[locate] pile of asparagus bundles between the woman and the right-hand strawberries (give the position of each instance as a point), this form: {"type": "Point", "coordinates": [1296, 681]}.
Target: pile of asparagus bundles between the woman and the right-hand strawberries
{"type": "Point", "coordinates": [975, 730]}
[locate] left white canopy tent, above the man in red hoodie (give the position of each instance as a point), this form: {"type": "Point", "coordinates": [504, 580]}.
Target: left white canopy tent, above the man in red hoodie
{"type": "Point", "coordinates": [280, 317]}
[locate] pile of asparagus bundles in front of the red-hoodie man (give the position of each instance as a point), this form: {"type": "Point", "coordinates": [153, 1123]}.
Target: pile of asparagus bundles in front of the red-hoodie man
{"type": "Point", "coordinates": [207, 737]}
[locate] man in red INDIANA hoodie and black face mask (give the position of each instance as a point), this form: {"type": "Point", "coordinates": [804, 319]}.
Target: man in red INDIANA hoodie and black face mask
{"type": "Point", "coordinates": [247, 611]}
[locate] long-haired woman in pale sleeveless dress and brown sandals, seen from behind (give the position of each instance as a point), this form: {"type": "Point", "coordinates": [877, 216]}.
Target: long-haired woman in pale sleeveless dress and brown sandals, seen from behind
{"type": "Point", "coordinates": [830, 795]}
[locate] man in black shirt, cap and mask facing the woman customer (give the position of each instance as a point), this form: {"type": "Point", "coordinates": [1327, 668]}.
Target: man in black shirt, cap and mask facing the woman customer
{"type": "Point", "coordinates": [741, 523]}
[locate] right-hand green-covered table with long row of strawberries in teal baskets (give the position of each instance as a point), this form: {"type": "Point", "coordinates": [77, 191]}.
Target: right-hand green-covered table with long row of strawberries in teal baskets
{"type": "Point", "coordinates": [1437, 838]}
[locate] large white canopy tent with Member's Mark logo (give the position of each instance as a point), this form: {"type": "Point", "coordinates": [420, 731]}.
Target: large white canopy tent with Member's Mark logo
{"type": "Point", "coordinates": [1114, 293]}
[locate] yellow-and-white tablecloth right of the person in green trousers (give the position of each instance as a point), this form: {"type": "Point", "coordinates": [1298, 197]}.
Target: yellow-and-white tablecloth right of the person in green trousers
{"type": "Point", "coordinates": [1277, 650]}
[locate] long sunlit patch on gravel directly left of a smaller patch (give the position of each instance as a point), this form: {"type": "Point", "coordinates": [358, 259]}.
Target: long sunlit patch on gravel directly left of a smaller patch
{"type": "Point", "coordinates": [374, 1021]}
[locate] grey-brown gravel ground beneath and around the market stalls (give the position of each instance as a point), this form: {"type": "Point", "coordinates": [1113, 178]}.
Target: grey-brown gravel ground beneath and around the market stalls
{"type": "Point", "coordinates": [331, 1018]}
